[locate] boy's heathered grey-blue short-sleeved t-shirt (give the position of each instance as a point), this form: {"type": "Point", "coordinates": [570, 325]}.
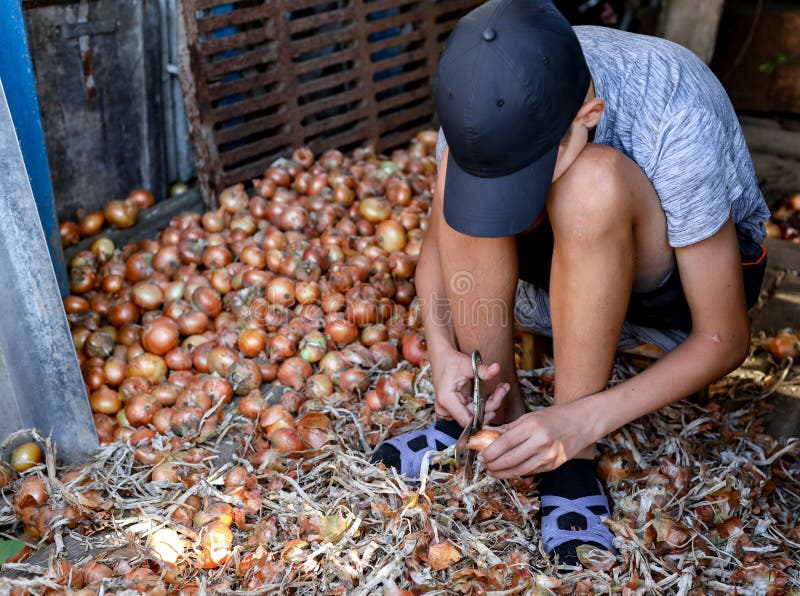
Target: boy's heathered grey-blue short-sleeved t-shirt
{"type": "Point", "coordinates": [668, 112]}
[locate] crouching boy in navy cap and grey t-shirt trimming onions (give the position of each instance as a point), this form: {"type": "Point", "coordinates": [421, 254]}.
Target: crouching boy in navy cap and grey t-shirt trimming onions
{"type": "Point", "coordinates": [608, 171]}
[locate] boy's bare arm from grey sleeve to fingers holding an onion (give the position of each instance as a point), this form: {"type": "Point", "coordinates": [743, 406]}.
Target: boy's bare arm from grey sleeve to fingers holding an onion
{"type": "Point", "coordinates": [712, 281]}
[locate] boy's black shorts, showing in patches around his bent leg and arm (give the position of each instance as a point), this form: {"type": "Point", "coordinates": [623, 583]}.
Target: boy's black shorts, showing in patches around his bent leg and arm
{"type": "Point", "coordinates": [663, 308]}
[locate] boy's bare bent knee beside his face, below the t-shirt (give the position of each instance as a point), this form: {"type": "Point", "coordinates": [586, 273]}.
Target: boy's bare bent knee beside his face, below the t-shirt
{"type": "Point", "coordinates": [595, 198]}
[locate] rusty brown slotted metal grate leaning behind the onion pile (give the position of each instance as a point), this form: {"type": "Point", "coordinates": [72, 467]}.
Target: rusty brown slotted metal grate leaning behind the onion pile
{"type": "Point", "coordinates": [264, 76]}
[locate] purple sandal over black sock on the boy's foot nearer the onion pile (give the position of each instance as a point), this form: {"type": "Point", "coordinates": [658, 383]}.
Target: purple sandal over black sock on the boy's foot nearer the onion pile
{"type": "Point", "coordinates": [407, 451]}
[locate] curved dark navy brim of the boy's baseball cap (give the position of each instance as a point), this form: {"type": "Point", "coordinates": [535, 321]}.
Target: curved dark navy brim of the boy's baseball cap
{"type": "Point", "coordinates": [497, 207]}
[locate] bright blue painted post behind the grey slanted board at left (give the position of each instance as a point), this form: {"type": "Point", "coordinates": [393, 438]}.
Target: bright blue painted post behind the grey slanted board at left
{"type": "Point", "coordinates": [16, 74]}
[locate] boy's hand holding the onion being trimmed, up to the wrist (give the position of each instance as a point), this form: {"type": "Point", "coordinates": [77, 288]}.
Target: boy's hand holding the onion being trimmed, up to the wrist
{"type": "Point", "coordinates": [538, 442]}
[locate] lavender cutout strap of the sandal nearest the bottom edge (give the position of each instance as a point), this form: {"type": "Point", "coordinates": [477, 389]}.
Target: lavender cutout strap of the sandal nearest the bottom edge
{"type": "Point", "coordinates": [596, 531]}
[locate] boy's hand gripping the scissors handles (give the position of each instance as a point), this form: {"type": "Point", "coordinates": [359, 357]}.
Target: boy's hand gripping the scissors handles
{"type": "Point", "coordinates": [452, 382]}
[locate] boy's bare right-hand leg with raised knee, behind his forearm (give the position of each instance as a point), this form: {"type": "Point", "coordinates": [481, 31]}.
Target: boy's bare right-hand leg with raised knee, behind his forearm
{"type": "Point", "coordinates": [609, 233]}
